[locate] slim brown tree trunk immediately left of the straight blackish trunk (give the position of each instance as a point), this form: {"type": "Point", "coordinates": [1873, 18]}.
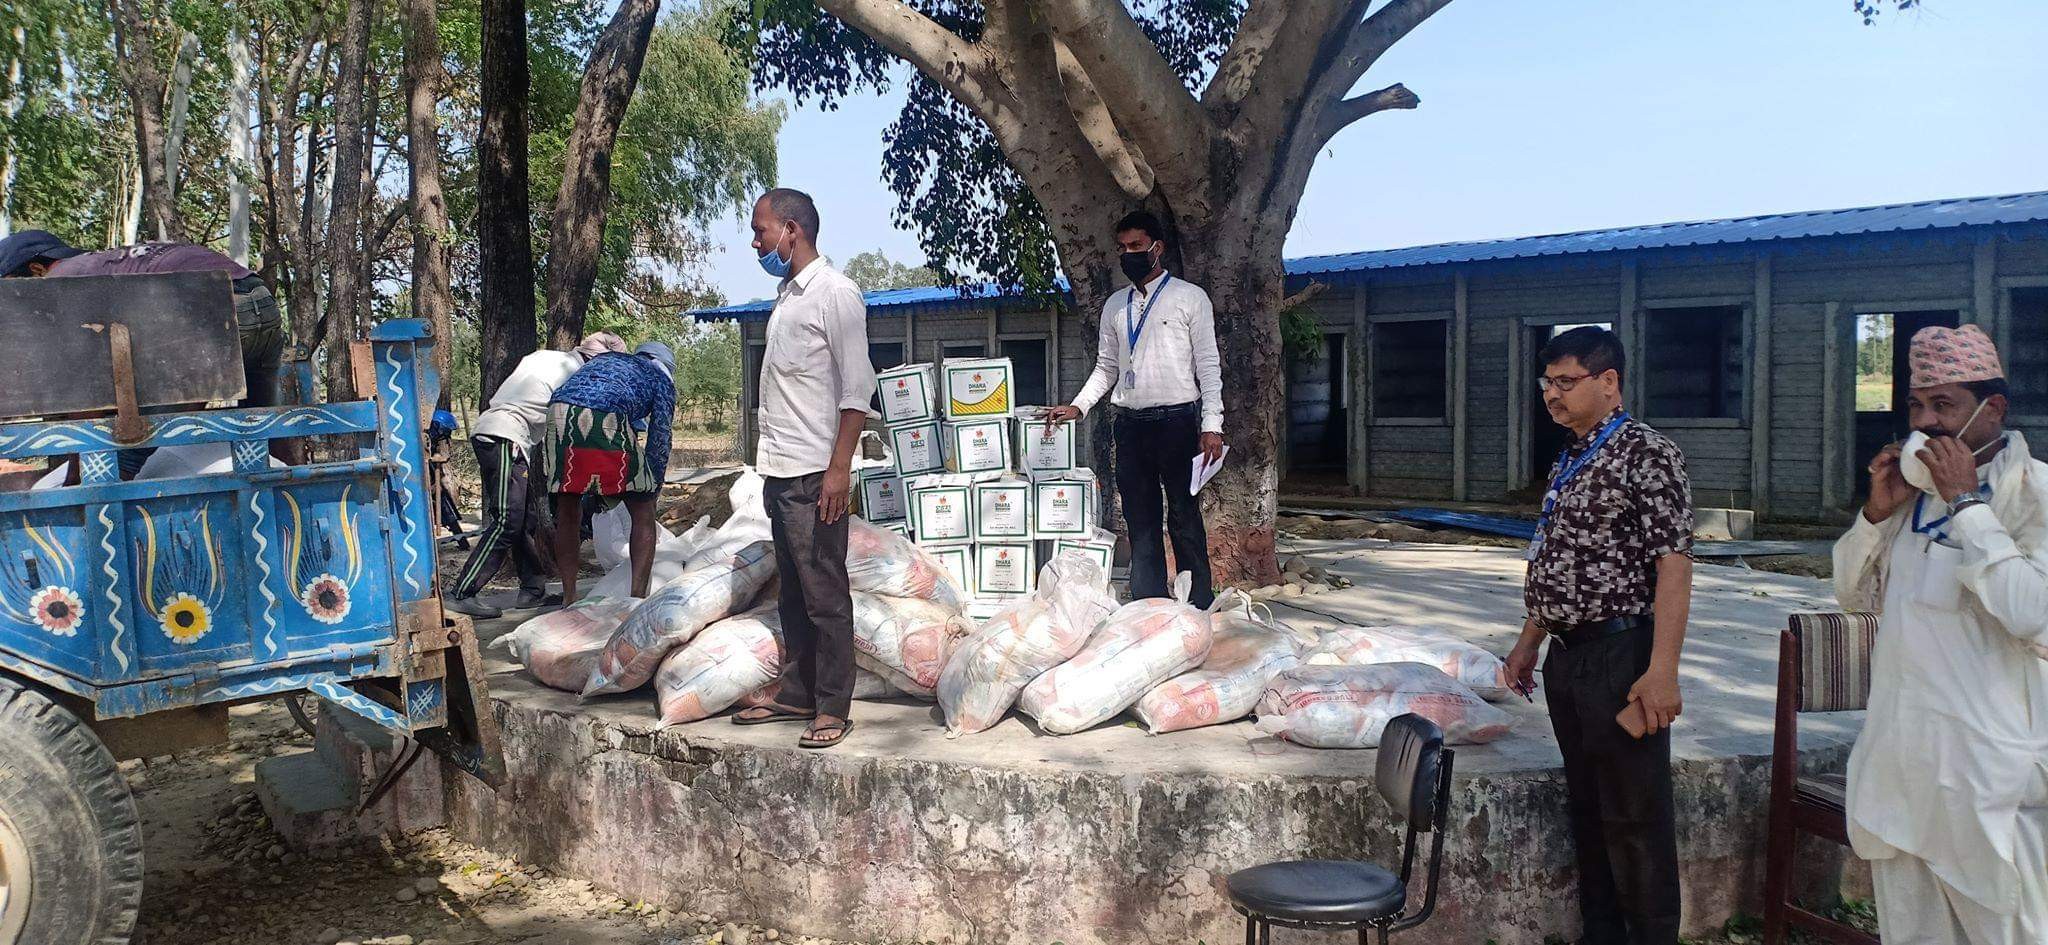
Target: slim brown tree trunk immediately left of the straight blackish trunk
{"type": "Point", "coordinates": [429, 208]}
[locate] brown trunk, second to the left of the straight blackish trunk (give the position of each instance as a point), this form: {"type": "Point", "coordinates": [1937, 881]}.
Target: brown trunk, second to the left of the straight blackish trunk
{"type": "Point", "coordinates": [345, 222]}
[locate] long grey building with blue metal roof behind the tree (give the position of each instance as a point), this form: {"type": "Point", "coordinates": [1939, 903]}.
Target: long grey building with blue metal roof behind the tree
{"type": "Point", "coordinates": [1773, 350]}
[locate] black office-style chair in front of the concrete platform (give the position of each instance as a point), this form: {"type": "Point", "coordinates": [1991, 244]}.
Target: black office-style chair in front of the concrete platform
{"type": "Point", "coordinates": [1414, 778]}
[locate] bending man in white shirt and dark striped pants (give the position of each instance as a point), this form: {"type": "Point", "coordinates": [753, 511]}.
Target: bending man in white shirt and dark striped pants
{"type": "Point", "coordinates": [505, 438]}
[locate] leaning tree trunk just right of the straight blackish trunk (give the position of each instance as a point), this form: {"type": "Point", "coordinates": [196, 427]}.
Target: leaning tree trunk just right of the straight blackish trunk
{"type": "Point", "coordinates": [587, 181]}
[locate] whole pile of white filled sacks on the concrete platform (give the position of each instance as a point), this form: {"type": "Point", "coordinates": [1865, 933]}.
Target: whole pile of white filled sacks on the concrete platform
{"type": "Point", "coordinates": [710, 639]}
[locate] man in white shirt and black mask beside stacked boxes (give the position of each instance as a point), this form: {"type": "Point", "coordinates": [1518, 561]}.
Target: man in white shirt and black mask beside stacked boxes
{"type": "Point", "coordinates": [1158, 352]}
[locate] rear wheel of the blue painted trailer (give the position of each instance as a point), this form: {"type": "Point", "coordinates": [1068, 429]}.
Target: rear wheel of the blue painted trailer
{"type": "Point", "coordinates": [71, 844]}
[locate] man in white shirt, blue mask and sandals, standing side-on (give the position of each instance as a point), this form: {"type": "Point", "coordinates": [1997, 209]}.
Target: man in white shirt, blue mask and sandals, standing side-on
{"type": "Point", "coordinates": [816, 386]}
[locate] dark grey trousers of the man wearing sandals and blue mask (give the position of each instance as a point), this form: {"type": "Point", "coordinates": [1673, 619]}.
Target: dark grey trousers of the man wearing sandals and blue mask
{"type": "Point", "coordinates": [818, 610]}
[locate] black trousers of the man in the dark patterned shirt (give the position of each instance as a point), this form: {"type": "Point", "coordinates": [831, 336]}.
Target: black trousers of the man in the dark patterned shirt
{"type": "Point", "coordinates": [1619, 790]}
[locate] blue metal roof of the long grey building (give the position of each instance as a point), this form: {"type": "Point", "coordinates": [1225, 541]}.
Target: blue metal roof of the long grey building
{"type": "Point", "coordinates": [1893, 218]}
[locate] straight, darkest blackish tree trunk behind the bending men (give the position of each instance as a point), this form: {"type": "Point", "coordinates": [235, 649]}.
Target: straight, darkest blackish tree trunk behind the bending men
{"type": "Point", "coordinates": [505, 231]}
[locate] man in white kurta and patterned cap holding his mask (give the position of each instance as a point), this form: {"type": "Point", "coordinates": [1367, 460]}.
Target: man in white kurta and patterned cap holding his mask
{"type": "Point", "coordinates": [1949, 782]}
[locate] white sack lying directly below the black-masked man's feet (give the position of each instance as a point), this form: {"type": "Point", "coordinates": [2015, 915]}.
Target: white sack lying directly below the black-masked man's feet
{"type": "Point", "coordinates": [1136, 649]}
